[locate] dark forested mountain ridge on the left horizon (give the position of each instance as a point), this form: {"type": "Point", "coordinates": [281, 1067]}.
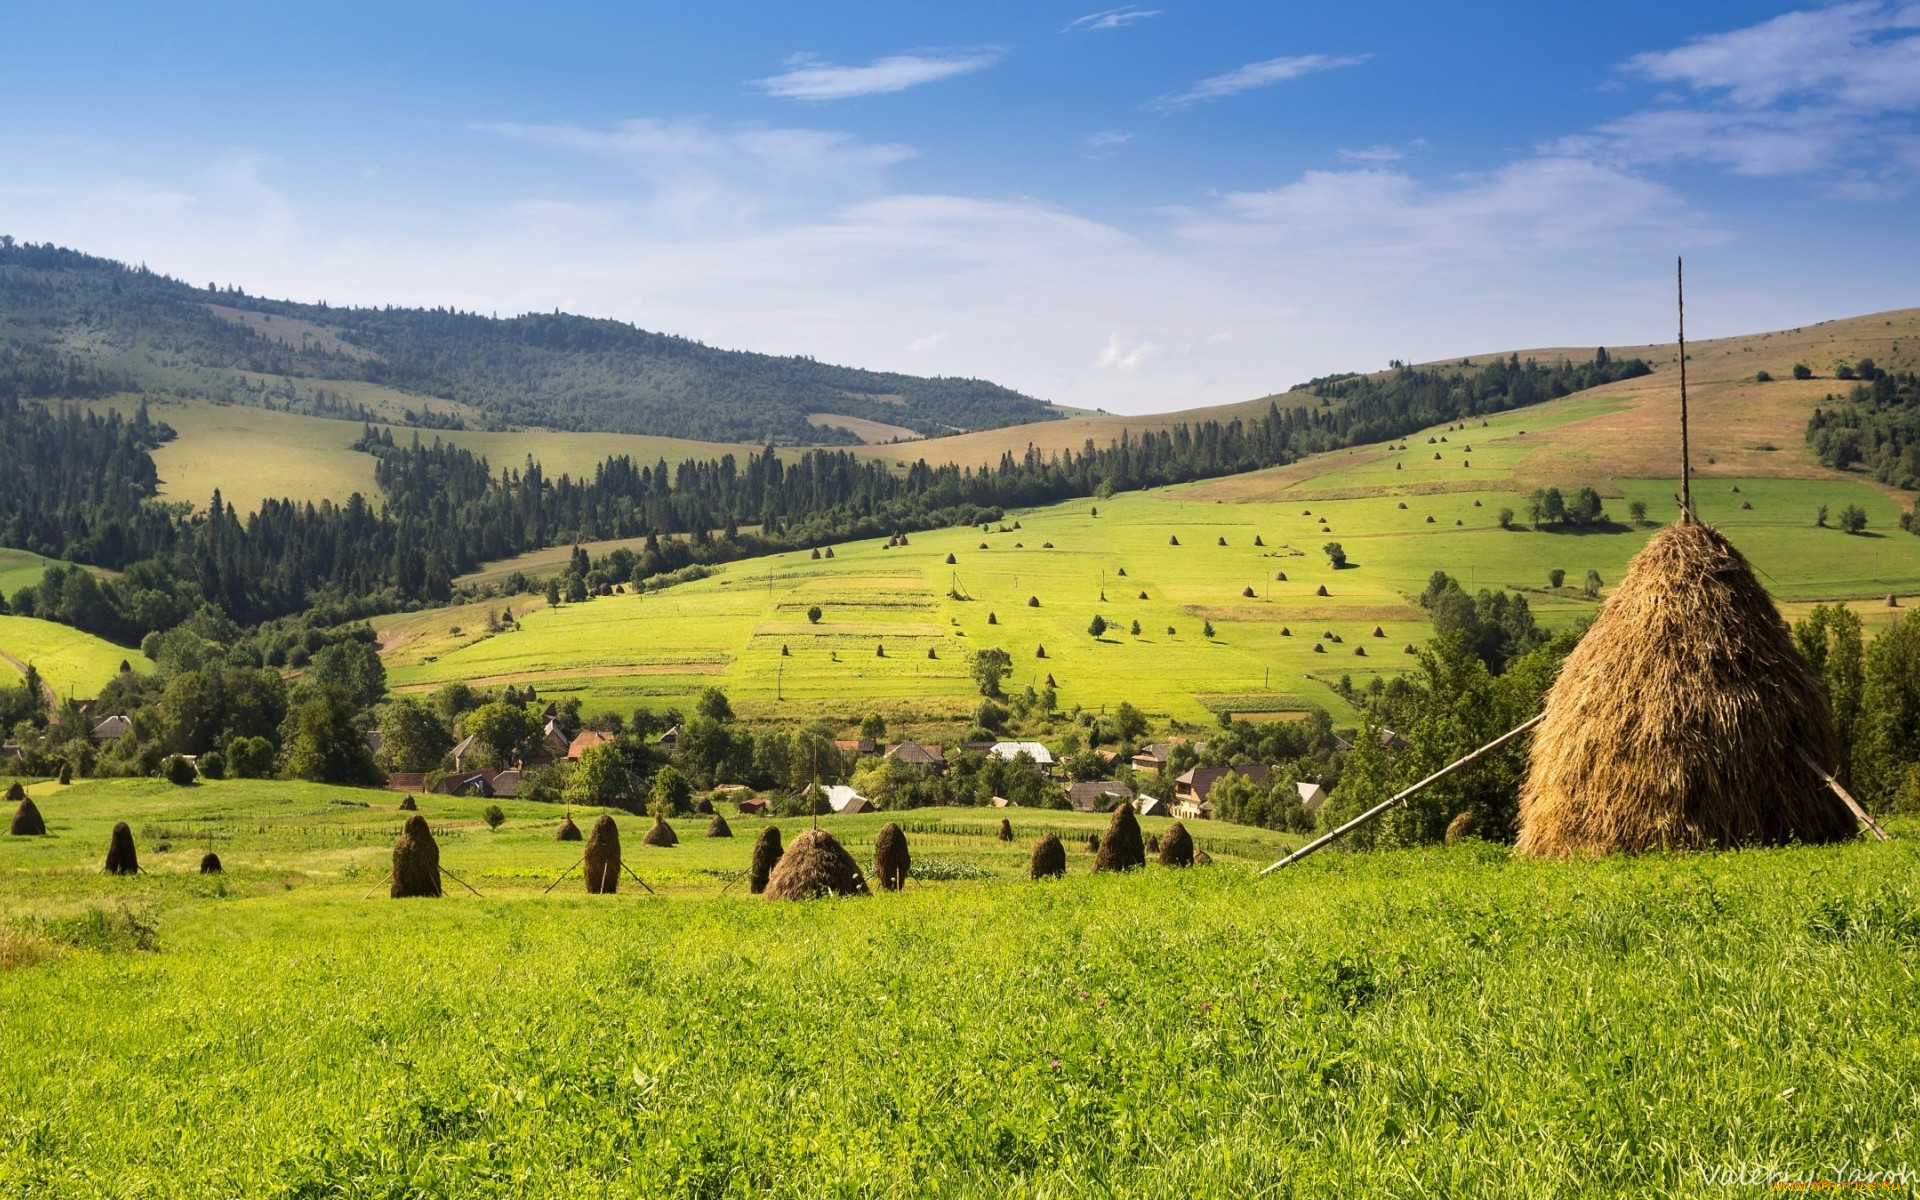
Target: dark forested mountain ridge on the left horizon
{"type": "Point", "coordinates": [76, 325]}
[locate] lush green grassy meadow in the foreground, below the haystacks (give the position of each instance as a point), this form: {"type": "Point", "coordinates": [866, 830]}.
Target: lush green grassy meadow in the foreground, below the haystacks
{"type": "Point", "coordinates": [1429, 1022]}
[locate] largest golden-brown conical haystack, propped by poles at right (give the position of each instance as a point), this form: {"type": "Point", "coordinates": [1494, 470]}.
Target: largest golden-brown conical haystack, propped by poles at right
{"type": "Point", "coordinates": [1679, 719]}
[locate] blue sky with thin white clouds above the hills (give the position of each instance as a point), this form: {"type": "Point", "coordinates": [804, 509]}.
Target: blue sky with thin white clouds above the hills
{"type": "Point", "coordinates": [1132, 208]}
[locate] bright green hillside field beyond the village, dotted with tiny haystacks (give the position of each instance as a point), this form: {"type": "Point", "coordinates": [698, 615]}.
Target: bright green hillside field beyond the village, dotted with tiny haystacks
{"type": "Point", "coordinates": [1270, 652]}
